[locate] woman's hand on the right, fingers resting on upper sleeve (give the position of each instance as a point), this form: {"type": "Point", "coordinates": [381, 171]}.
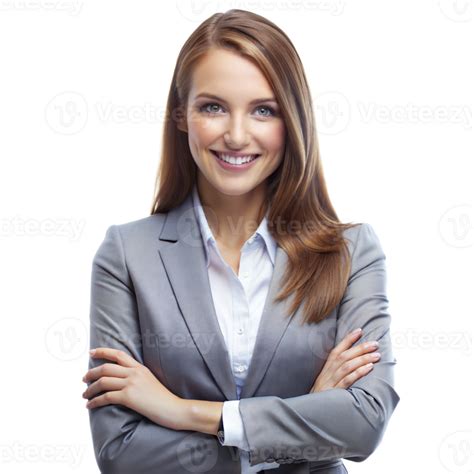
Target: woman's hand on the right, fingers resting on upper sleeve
{"type": "Point", "coordinates": [346, 364]}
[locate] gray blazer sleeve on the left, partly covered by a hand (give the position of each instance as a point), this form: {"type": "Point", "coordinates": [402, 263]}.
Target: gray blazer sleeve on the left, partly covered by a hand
{"type": "Point", "coordinates": [125, 441]}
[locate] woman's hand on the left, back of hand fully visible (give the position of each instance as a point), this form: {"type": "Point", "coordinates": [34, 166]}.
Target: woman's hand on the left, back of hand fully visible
{"type": "Point", "coordinates": [131, 384]}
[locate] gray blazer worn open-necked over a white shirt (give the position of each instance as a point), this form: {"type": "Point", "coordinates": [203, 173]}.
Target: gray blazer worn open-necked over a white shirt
{"type": "Point", "coordinates": [150, 297]}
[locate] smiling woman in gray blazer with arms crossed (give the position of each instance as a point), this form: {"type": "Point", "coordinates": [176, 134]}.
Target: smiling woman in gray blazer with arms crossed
{"type": "Point", "coordinates": [234, 304]}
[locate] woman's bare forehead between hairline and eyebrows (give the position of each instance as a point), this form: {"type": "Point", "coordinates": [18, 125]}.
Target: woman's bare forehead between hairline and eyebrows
{"type": "Point", "coordinates": [229, 75]}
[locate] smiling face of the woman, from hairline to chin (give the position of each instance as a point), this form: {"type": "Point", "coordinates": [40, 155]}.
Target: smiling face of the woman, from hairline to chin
{"type": "Point", "coordinates": [226, 116]}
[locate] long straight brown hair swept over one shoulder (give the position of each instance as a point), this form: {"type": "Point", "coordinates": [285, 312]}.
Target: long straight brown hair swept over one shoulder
{"type": "Point", "coordinates": [318, 258]}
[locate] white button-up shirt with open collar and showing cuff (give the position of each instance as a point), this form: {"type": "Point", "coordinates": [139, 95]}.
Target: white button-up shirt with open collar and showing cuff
{"type": "Point", "coordinates": [239, 300]}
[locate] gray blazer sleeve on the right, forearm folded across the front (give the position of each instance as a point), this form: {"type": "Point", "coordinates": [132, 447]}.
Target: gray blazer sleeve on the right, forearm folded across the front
{"type": "Point", "coordinates": [347, 423]}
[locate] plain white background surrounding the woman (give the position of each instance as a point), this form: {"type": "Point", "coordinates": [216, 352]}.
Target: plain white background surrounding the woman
{"type": "Point", "coordinates": [83, 91]}
